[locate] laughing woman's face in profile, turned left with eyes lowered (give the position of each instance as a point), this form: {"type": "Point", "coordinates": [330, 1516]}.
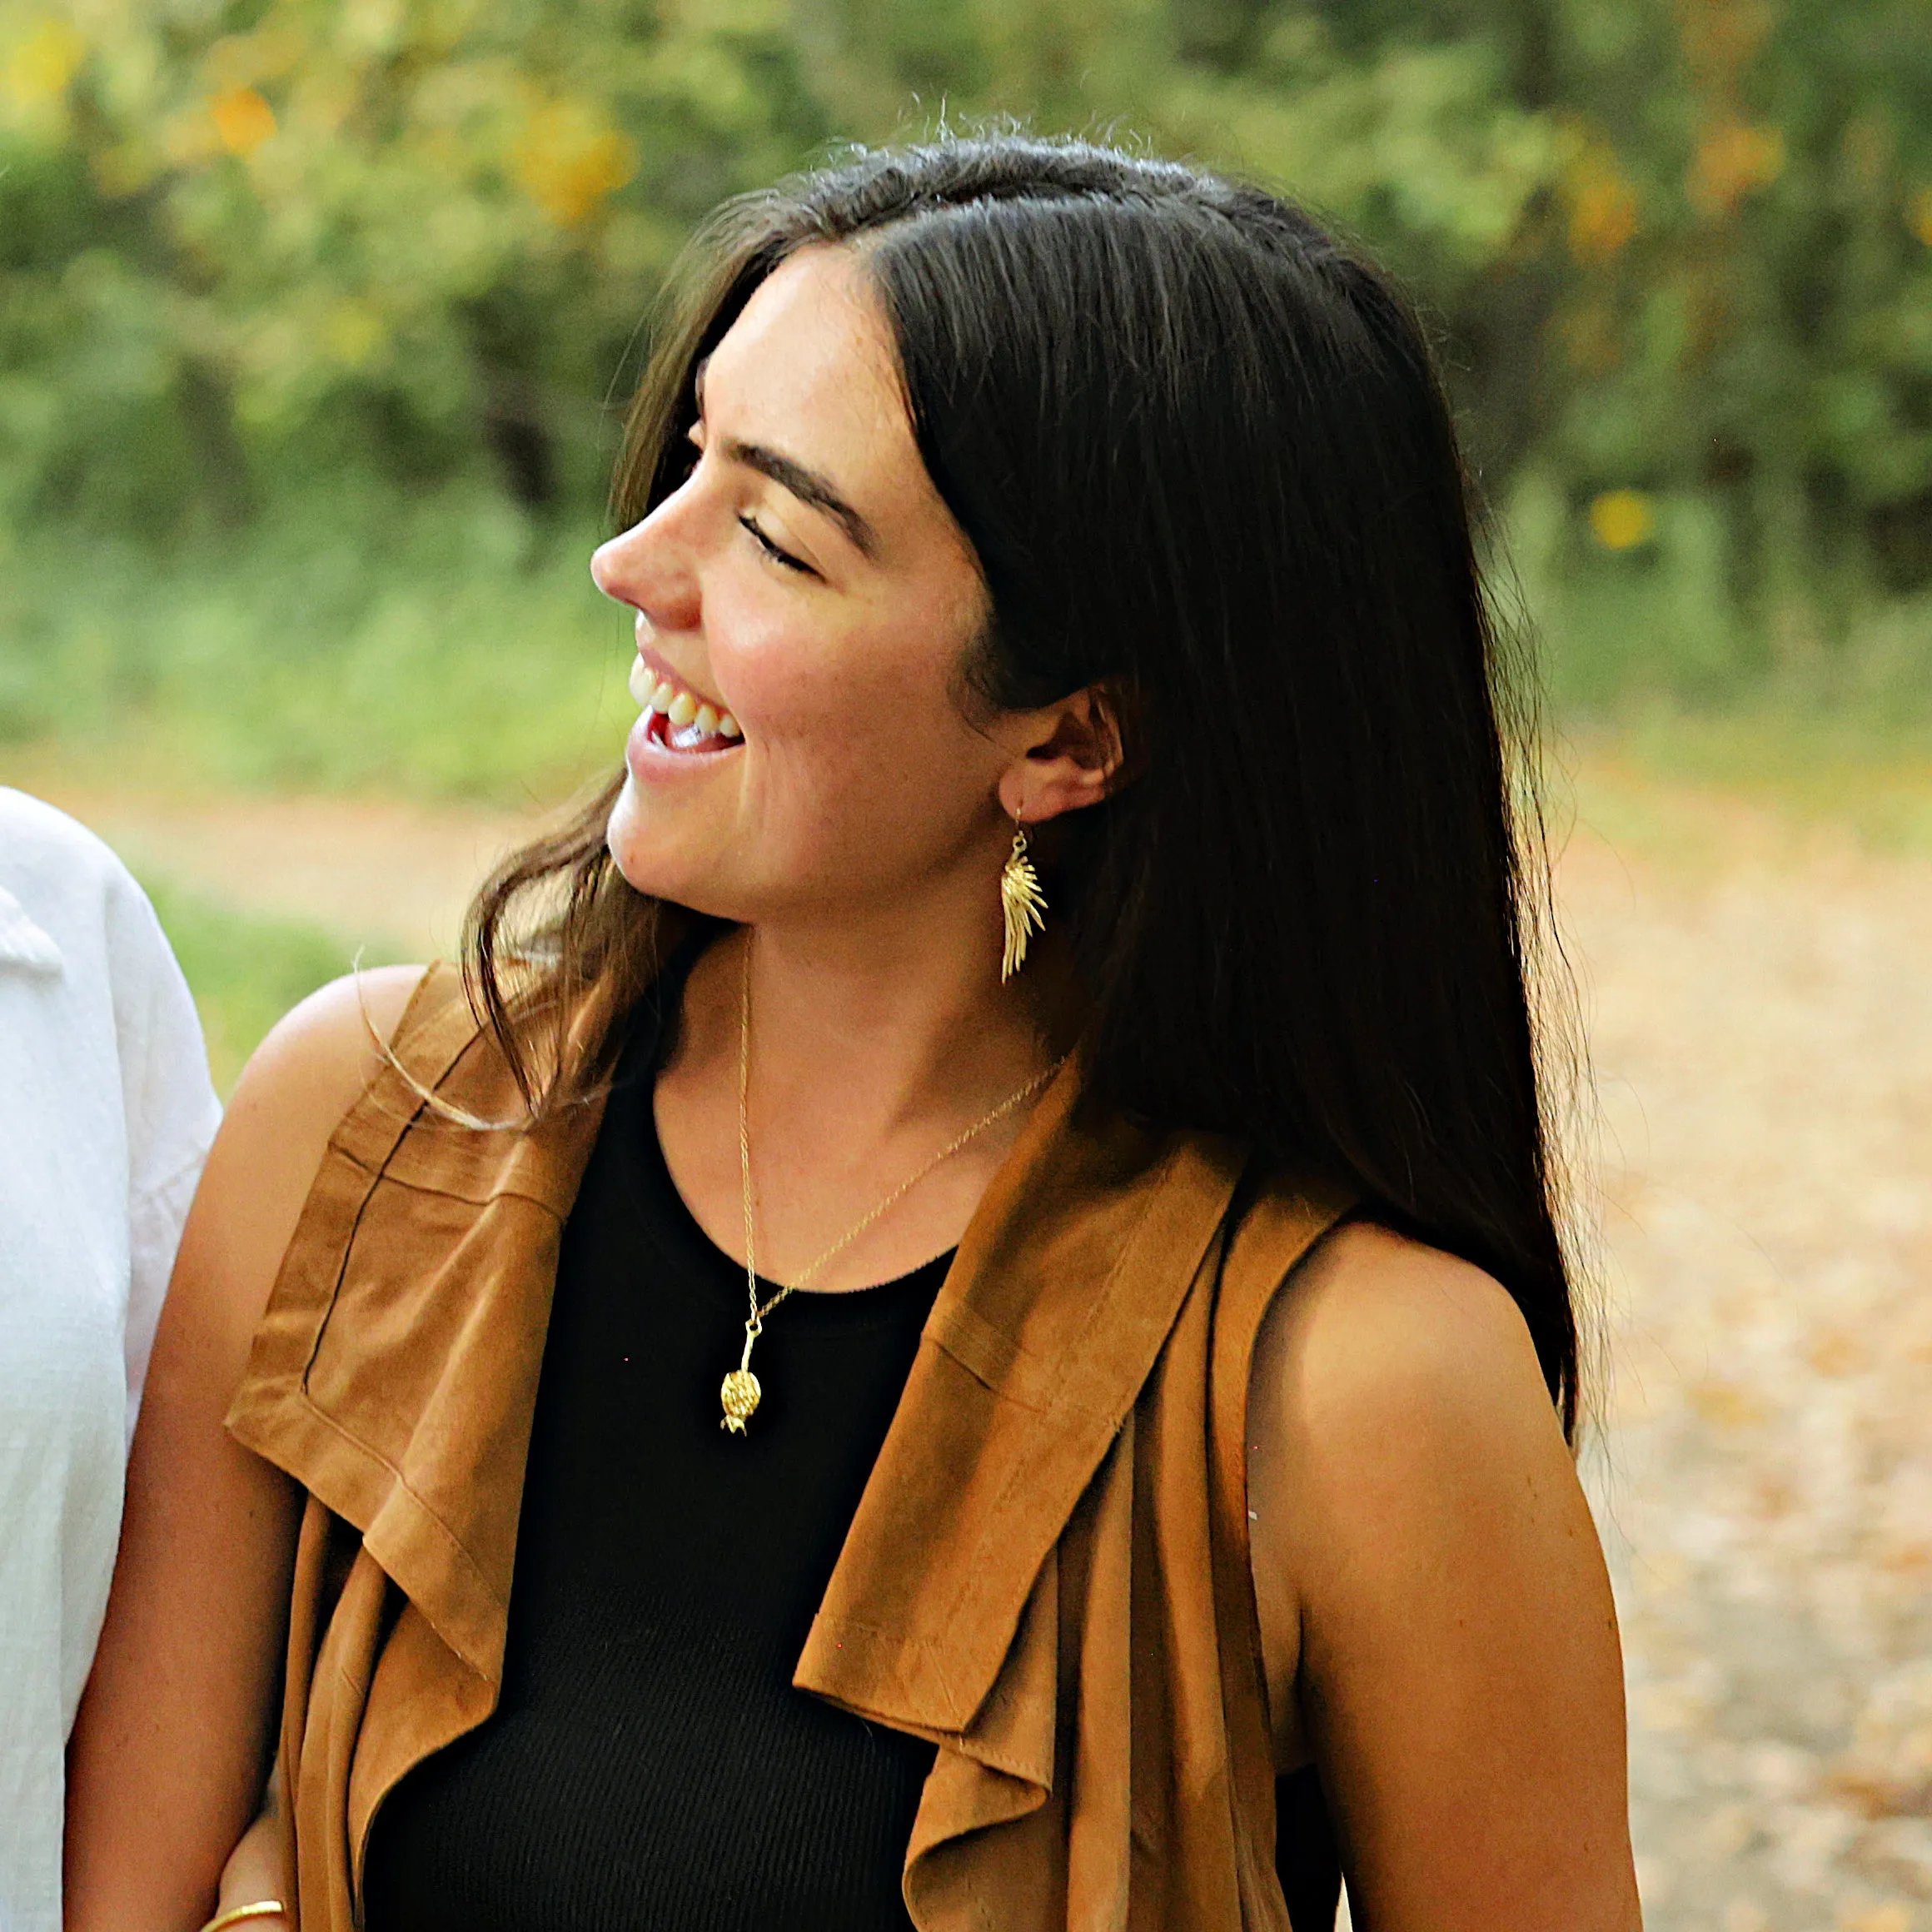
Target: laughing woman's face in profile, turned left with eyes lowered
{"type": "Point", "coordinates": [805, 602]}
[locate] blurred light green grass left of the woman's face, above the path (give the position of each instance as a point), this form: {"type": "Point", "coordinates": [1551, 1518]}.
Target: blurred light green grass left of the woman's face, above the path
{"type": "Point", "coordinates": [436, 648]}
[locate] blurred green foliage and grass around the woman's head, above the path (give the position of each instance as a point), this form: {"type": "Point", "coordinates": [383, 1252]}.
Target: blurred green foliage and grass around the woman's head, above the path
{"type": "Point", "coordinates": [316, 320]}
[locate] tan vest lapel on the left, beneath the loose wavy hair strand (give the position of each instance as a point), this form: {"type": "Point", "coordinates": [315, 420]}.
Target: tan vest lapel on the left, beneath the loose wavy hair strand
{"type": "Point", "coordinates": [395, 1373]}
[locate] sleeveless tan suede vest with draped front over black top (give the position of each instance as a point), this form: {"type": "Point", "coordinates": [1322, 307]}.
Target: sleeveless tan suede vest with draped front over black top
{"type": "Point", "coordinates": [1048, 1576]}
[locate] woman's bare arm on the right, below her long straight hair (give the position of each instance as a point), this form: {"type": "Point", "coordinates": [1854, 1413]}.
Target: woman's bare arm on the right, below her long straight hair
{"type": "Point", "coordinates": [1436, 1616]}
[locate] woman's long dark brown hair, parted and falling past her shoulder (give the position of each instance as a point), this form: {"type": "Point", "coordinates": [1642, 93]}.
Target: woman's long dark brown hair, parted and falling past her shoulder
{"type": "Point", "coordinates": [1205, 461]}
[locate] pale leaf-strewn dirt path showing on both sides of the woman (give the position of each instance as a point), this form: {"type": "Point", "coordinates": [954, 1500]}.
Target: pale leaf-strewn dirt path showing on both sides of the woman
{"type": "Point", "coordinates": [1761, 1011]}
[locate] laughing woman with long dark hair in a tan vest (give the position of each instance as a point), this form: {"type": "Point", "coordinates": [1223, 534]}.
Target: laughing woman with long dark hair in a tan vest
{"type": "Point", "coordinates": [1178, 1384]}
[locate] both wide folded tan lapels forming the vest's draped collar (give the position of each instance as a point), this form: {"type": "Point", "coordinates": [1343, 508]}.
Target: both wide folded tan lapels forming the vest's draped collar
{"type": "Point", "coordinates": [1042, 1336]}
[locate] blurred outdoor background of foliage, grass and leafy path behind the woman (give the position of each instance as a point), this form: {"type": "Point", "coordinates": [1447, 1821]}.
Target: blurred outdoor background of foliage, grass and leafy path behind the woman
{"type": "Point", "coordinates": [316, 329]}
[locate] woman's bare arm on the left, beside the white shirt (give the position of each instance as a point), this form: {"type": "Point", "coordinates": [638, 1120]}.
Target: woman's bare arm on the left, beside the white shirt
{"type": "Point", "coordinates": [171, 1749]}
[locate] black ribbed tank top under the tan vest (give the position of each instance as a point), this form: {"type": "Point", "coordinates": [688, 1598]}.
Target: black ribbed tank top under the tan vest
{"type": "Point", "coordinates": [650, 1767]}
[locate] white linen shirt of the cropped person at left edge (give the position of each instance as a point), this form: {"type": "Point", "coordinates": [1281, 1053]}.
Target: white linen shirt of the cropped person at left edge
{"type": "Point", "coordinates": [105, 1122]}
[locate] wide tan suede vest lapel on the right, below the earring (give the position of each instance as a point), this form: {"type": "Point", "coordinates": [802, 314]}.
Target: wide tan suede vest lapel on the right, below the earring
{"type": "Point", "coordinates": [1044, 1334]}
